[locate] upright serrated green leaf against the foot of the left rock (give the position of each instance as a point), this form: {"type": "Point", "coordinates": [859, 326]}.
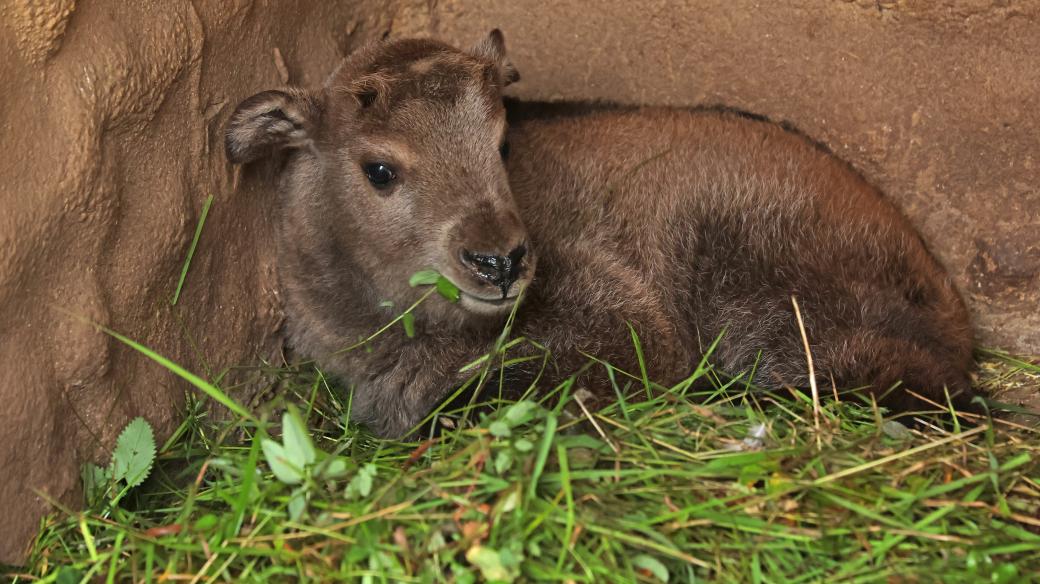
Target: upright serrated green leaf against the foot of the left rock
{"type": "Point", "coordinates": [132, 463]}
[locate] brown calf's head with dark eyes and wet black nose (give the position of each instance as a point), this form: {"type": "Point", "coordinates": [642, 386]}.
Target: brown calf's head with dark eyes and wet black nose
{"type": "Point", "coordinates": [397, 166]}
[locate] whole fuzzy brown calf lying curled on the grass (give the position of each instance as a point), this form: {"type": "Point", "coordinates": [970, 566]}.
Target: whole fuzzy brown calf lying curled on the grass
{"type": "Point", "coordinates": [686, 224]}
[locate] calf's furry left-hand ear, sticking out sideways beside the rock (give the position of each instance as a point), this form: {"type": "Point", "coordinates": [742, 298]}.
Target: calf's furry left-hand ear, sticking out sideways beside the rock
{"type": "Point", "coordinates": [269, 122]}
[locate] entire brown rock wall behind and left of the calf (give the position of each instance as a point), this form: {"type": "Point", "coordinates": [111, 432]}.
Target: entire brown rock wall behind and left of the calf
{"type": "Point", "coordinates": [111, 143]}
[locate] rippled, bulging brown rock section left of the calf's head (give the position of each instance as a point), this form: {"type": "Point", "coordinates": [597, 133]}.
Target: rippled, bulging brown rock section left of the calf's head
{"type": "Point", "coordinates": [111, 136]}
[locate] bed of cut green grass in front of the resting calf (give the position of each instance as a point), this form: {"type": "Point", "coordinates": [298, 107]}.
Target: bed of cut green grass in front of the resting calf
{"type": "Point", "coordinates": [668, 484]}
